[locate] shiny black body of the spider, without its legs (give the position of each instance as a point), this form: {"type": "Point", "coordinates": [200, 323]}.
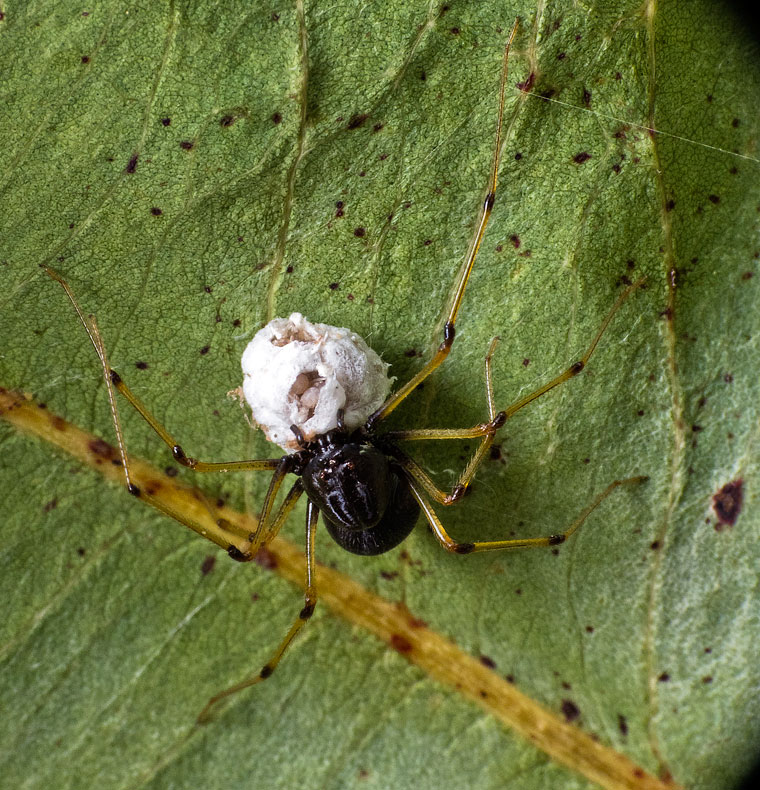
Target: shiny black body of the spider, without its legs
{"type": "Point", "coordinates": [361, 492]}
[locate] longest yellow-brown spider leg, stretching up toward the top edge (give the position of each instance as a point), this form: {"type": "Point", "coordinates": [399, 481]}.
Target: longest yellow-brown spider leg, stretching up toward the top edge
{"type": "Point", "coordinates": [448, 330]}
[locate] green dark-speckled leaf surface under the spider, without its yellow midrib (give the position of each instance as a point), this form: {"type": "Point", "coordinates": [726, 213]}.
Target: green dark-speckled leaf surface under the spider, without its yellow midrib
{"type": "Point", "coordinates": [156, 156]}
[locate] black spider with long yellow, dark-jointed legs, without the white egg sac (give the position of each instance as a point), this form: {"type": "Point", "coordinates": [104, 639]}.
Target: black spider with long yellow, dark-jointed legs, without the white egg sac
{"type": "Point", "coordinates": [369, 492]}
